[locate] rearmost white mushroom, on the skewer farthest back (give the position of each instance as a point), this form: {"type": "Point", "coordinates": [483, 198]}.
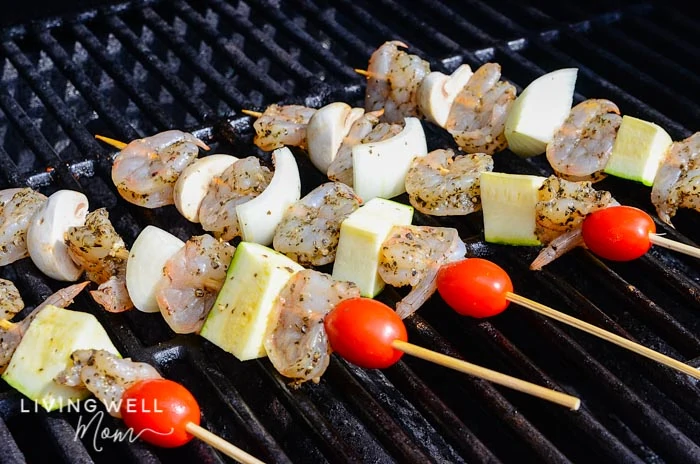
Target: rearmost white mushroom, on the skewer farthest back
{"type": "Point", "coordinates": [438, 91]}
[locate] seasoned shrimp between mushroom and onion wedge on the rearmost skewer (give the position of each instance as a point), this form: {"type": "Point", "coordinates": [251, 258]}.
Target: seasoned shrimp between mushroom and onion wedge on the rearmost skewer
{"type": "Point", "coordinates": [477, 119]}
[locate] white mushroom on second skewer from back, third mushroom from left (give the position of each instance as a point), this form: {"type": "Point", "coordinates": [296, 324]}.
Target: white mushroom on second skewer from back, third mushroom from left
{"type": "Point", "coordinates": [326, 130]}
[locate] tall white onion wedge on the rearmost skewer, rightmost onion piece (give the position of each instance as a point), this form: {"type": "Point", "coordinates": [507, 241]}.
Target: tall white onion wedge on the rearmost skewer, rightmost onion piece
{"type": "Point", "coordinates": [539, 110]}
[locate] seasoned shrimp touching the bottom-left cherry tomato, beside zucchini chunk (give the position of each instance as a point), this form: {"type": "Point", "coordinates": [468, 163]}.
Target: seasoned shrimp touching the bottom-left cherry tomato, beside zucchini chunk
{"type": "Point", "coordinates": [105, 375]}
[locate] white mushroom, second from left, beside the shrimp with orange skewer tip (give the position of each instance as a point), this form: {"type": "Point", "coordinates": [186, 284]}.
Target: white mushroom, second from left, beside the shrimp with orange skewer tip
{"type": "Point", "coordinates": [193, 183]}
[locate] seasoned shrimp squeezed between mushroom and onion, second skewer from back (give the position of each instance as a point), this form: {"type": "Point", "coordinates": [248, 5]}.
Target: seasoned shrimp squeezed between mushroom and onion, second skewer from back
{"type": "Point", "coordinates": [362, 131]}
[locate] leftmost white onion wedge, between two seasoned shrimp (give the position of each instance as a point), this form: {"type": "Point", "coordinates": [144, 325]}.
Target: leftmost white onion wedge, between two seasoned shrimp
{"type": "Point", "coordinates": [144, 268]}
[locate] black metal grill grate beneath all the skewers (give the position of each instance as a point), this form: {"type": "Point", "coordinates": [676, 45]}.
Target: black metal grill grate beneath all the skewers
{"type": "Point", "coordinates": [135, 68]}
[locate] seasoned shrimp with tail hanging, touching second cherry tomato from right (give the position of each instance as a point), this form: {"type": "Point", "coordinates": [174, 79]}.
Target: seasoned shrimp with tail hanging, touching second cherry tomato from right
{"type": "Point", "coordinates": [412, 255]}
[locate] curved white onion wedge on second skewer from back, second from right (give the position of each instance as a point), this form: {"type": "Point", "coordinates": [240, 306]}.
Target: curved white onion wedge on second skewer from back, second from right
{"type": "Point", "coordinates": [379, 168]}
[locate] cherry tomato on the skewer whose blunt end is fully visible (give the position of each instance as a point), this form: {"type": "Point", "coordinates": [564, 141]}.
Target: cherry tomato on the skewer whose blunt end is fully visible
{"type": "Point", "coordinates": [361, 330]}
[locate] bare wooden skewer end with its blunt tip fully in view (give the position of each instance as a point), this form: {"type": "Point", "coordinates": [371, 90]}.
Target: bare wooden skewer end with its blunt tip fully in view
{"type": "Point", "coordinates": [562, 399]}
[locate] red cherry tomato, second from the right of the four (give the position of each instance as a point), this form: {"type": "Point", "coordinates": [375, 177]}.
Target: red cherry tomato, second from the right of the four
{"type": "Point", "coordinates": [474, 287]}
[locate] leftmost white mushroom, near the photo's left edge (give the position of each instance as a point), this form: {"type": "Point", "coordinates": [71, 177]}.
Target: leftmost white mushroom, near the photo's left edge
{"type": "Point", "coordinates": [46, 234]}
